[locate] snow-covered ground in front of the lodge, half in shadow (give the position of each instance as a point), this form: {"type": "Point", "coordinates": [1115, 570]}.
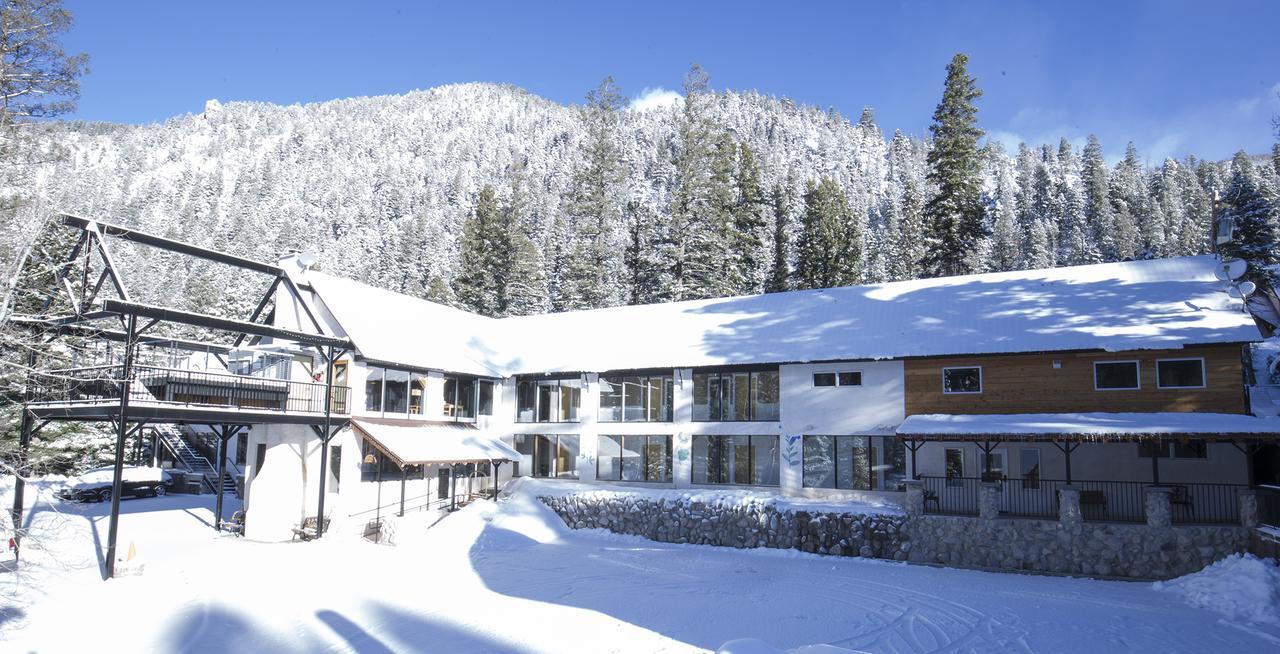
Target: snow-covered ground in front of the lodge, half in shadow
{"type": "Point", "coordinates": [511, 578]}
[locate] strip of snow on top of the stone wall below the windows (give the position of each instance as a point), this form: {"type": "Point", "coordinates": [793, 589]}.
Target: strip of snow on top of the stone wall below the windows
{"type": "Point", "coordinates": [717, 497]}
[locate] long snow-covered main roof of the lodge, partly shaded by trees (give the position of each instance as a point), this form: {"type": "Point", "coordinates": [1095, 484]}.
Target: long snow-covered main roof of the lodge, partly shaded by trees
{"type": "Point", "coordinates": [1139, 305]}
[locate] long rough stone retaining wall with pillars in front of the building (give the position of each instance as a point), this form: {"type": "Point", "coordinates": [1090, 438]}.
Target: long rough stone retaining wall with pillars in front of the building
{"type": "Point", "coordinates": [1067, 546]}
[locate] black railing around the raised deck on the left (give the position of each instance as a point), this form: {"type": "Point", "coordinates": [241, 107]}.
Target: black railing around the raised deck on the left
{"type": "Point", "coordinates": [188, 387]}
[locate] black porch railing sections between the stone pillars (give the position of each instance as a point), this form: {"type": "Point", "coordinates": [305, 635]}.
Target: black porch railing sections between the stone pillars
{"type": "Point", "coordinates": [1100, 501]}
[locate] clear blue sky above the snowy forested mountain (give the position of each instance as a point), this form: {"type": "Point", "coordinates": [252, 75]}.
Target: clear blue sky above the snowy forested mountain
{"type": "Point", "coordinates": [1174, 77]}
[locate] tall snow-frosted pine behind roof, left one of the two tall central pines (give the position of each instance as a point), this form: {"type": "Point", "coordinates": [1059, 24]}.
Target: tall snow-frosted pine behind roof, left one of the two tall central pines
{"type": "Point", "coordinates": [593, 277]}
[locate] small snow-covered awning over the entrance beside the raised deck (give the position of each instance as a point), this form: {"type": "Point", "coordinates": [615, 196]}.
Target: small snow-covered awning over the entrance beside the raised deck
{"type": "Point", "coordinates": [415, 442]}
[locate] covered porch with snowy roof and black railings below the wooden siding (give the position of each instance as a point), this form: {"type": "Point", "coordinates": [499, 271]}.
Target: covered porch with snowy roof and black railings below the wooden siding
{"type": "Point", "coordinates": [1203, 461]}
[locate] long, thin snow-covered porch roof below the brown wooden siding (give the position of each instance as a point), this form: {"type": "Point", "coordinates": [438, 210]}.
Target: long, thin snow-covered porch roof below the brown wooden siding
{"type": "Point", "coordinates": [1090, 427]}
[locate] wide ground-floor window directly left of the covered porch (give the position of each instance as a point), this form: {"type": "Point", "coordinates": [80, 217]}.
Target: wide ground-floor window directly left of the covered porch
{"type": "Point", "coordinates": [854, 463]}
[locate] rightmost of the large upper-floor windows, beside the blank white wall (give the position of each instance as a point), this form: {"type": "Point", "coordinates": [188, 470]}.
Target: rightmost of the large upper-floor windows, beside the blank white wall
{"type": "Point", "coordinates": [737, 396]}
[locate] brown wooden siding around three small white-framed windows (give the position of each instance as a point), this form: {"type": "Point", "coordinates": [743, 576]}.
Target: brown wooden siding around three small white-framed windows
{"type": "Point", "coordinates": [1031, 385]}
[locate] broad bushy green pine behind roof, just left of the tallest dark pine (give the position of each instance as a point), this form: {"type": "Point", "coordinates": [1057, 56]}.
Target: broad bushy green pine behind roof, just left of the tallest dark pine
{"type": "Point", "coordinates": [829, 253]}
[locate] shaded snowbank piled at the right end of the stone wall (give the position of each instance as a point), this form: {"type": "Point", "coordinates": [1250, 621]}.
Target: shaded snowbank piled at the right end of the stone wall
{"type": "Point", "coordinates": [1241, 587]}
